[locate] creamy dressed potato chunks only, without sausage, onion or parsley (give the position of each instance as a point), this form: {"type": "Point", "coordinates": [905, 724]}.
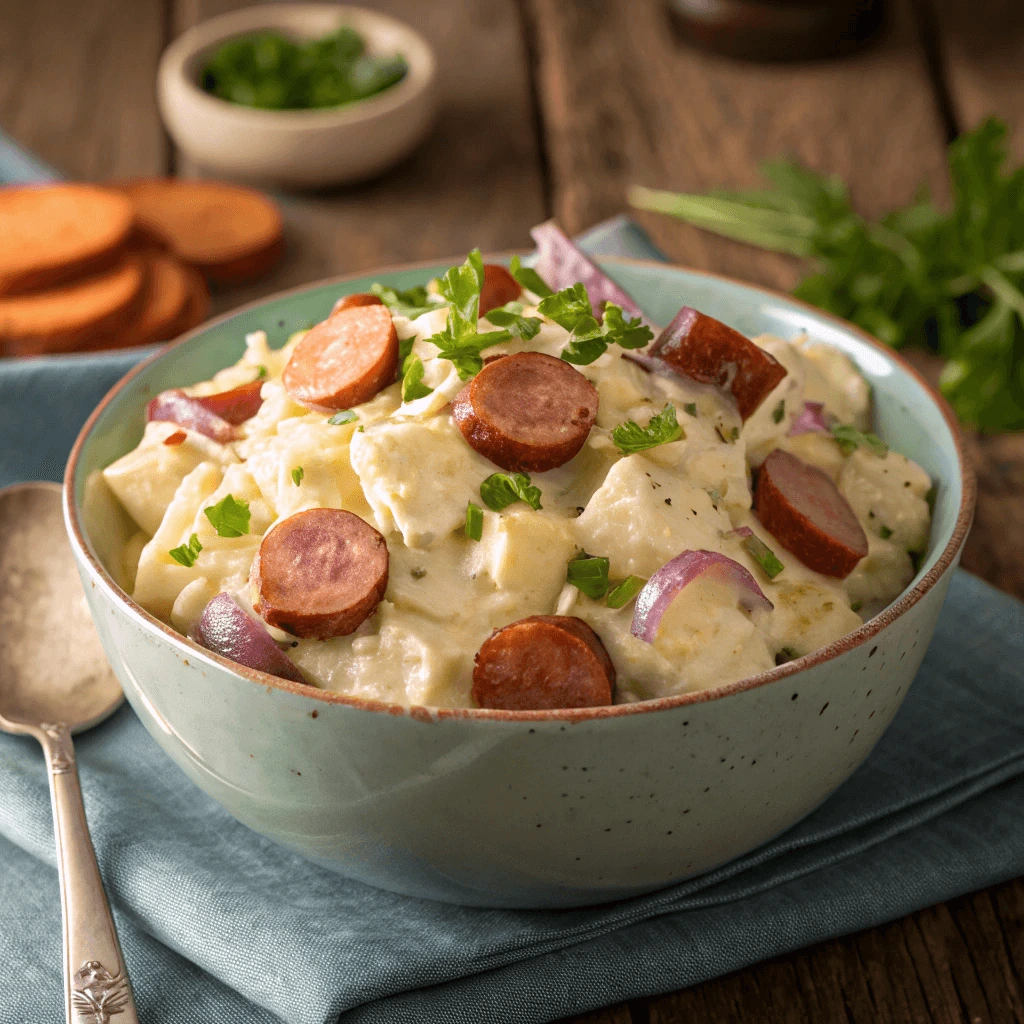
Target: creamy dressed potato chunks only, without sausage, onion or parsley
{"type": "Point", "coordinates": [408, 472]}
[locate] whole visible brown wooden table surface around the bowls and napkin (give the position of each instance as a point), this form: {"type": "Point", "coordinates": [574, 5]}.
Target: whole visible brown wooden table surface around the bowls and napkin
{"type": "Point", "coordinates": [553, 108]}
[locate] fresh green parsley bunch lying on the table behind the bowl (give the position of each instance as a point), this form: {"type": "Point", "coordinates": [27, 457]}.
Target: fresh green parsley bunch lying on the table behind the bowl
{"type": "Point", "coordinates": [952, 282]}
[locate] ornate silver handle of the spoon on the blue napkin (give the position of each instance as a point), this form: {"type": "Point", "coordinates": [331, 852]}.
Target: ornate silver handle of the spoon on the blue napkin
{"type": "Point", "coordinates": [97, 987]}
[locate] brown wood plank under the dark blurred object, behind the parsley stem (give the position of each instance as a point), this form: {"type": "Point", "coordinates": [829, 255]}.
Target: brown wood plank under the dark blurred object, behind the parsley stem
{"type": "Point", "coordinates": [624, 102]}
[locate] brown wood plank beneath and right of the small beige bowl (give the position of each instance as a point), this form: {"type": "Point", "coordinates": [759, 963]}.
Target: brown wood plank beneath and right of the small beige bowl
{"type": "Point", "coordinates": [477, 182]}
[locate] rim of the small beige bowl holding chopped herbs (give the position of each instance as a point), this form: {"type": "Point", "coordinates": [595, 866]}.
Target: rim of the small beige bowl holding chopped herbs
{"type": "Point", "coordinates": [231, 25]}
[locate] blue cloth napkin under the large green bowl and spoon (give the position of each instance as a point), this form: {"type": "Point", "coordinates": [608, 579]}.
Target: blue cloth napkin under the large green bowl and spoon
{"type": "Point", "coordinates": [220, 924]}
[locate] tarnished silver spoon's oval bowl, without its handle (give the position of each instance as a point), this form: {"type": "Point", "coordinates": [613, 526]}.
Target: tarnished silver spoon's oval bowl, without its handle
{"type": "Point", "coordinates": [55, 669]}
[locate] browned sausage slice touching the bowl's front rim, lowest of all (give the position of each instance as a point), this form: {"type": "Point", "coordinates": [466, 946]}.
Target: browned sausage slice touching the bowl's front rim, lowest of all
{"type": "Point", "coordinates": [543, 663]}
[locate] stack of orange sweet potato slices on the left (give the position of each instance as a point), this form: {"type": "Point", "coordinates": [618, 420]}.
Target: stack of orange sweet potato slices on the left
{"type": "Point", "coordinates": [87, 268]}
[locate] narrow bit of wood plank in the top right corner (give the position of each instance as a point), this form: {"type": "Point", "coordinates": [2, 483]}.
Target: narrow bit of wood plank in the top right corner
{"type": "Point", "coordinates": [982, 53]}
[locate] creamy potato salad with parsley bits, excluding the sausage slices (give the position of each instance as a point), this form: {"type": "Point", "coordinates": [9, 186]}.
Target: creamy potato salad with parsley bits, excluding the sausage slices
{"type": "Point", "coordinates": [665, 468]}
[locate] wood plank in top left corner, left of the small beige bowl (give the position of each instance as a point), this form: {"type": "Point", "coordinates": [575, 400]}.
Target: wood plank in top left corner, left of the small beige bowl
{"type": "Point", "coordinates": [77, 84]}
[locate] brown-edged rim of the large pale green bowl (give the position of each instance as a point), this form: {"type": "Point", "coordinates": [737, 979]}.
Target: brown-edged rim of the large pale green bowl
{"type": "Point", "coordinates": [568, 715]}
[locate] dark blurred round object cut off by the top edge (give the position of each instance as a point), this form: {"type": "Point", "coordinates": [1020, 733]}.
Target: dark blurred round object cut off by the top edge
{"type": "Point", "coordinates": [778, 30]}
